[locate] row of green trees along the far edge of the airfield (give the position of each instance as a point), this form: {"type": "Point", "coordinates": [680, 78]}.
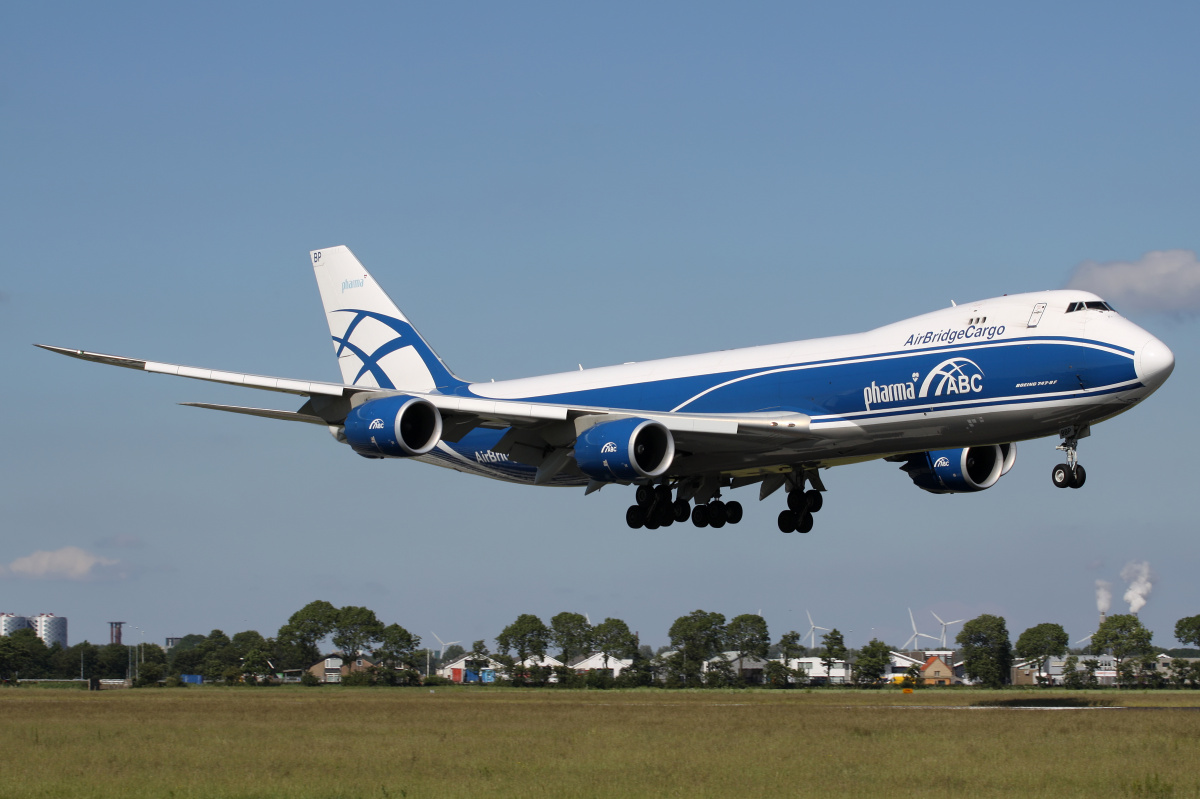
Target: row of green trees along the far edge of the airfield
{"type": "Point", "coordinates": [705, 651]}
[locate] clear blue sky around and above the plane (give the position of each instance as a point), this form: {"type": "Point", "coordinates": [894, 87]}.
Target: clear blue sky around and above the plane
{"type": "Point", "coordinates": [541, 187]}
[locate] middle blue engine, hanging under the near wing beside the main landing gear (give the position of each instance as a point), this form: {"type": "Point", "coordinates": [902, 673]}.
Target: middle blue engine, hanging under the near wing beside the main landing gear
{"type": "Point", "coordinates": [626, 449]}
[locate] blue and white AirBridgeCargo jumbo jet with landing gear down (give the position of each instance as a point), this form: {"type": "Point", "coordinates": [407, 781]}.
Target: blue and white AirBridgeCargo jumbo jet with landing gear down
{"type": "Point", "coordinates": [947, 395]}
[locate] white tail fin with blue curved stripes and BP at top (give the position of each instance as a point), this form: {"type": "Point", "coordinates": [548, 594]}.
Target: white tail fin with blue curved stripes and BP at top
{"type": "Point", "coordinates": [376, 346]}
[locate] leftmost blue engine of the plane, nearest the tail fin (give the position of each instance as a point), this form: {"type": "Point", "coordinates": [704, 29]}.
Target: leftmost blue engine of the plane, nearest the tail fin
{"type": "Point", "coordinates": [398, 428]}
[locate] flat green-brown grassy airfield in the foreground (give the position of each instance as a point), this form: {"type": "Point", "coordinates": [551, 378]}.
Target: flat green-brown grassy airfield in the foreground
{"type": "Point", "coordinates": [461, 742]}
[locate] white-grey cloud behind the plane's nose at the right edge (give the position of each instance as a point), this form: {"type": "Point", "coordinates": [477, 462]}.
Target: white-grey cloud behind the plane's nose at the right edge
{"type": "Point", "coordinates": [1163, 280]}
